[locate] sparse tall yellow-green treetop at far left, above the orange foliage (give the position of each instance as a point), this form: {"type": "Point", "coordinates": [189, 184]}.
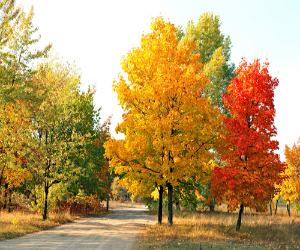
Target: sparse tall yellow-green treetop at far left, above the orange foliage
{"type": "Point", "coordinates": [17, 53]}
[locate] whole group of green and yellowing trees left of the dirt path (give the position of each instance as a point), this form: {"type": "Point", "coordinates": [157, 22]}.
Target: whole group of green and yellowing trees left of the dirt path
{"type": "Point", "coordinates": [51, 141]}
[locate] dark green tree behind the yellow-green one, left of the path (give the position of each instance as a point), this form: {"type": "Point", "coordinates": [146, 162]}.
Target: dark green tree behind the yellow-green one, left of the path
{"type": "Point", "coordinates": [92, 178]}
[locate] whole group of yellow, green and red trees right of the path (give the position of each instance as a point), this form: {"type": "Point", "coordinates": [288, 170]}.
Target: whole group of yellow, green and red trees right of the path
{"type": "Point", "coordinates": [196, 127]}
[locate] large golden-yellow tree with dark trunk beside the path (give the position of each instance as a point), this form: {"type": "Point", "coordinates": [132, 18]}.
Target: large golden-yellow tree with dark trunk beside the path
{"type": "Point", "coordinates": [169, 127]}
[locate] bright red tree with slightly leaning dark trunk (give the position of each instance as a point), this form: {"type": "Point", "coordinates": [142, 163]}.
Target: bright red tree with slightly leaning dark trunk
{"type": "Point", "coordinates": [252, 167]}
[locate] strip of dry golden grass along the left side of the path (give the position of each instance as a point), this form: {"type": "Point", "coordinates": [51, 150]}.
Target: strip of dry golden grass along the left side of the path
{"type": "Point", "coordinates": [17, 223]}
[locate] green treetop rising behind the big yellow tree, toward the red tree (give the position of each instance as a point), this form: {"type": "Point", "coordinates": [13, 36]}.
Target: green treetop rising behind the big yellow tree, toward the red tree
{"type": "Point", "coordinates": [215, 51]}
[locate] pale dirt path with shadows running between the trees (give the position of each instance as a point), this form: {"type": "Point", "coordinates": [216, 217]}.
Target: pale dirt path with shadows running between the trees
{"type": "Point", "coordinates": [114, 231]}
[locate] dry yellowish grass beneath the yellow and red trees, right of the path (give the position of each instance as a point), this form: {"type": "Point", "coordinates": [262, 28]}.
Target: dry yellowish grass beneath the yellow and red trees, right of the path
{"type": "Point", "coordinates": [217, 231]}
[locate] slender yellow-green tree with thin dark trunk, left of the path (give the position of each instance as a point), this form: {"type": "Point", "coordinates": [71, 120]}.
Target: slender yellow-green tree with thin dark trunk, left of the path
{"type": "Point", "coordinates": [54, 136]}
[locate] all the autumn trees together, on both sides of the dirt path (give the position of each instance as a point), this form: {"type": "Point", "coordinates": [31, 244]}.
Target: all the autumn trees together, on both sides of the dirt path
{"type": "Point", "coordinates": [196, 127]}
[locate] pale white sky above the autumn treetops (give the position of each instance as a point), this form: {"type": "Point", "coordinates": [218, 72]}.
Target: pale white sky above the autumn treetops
{"type": "Point", "coordinates": [95, 34]}
